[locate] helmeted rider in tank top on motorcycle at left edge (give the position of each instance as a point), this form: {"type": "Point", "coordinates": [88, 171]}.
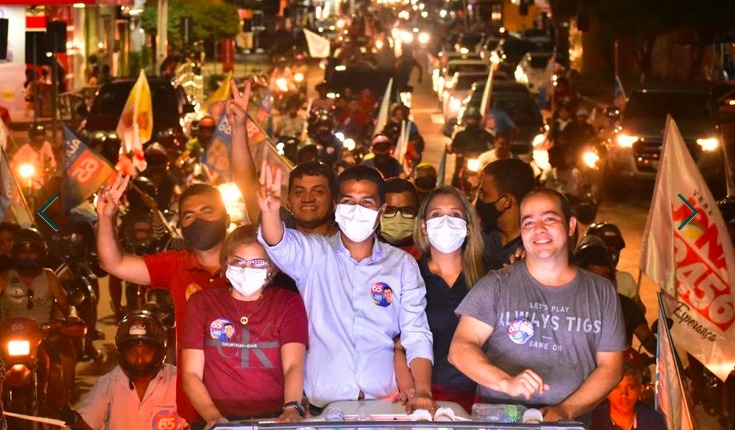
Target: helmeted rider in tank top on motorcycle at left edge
{"type": "Point", "coordinates": [30, 290]}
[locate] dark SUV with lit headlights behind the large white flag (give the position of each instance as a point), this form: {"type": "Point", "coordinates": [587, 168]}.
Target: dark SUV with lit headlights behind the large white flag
{"type": "Point", "coordinates": [634, 149]}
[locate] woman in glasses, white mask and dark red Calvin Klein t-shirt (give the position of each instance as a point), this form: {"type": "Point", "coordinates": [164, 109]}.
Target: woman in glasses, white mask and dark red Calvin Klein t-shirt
{"type": "Point", "coordinates": [244, 346]}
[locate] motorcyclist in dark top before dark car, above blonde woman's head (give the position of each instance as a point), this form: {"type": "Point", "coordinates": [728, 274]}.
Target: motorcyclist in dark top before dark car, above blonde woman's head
{"type": "Point", "coordinates": [470, 142]}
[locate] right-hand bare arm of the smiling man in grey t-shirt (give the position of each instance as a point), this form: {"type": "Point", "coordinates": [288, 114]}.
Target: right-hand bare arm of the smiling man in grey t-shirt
{"type": "Point", "coordinates": [600, 382]}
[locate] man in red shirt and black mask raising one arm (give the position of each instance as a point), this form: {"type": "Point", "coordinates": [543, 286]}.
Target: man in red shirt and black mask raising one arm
{"type": "Point", "coordinates": [204, 224]}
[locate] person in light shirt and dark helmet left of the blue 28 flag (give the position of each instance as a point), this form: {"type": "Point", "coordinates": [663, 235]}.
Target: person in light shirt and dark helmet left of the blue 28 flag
{"type": "Point", "coordinates": [36, 152]}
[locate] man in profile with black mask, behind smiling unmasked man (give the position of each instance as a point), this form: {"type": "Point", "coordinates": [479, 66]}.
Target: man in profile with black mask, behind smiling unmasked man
{"type": "Point", "coordinates": [502, 187]}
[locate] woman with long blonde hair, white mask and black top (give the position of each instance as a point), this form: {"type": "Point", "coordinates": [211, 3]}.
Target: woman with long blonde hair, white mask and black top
{"type": "Point", "coordinates": [448, 233]}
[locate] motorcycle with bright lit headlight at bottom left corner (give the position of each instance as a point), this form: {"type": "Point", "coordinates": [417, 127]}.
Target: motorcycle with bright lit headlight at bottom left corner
{"type": "Point", "coordinates": [35, 383]}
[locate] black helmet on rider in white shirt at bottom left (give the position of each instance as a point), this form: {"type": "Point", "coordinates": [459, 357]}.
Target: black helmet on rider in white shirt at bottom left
{"type": "Point", "coordinates": [140, 328]}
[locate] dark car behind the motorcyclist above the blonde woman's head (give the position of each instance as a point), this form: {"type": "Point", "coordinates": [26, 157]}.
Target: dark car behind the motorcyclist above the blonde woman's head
{"type": "Point", "coordinates": [517, 102]}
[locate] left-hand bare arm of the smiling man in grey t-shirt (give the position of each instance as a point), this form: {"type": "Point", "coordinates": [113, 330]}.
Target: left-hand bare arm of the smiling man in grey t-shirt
{"type": "Point", "coordinates": [466, 354]}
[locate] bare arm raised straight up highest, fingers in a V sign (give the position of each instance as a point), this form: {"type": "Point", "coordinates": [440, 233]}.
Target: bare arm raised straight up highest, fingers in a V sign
{"type": "Point", "coordinates": [243, 166]}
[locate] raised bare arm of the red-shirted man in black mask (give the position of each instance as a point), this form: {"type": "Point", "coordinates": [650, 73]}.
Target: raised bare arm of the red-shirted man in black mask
{"type": "Point", "coordinates": [113, 260]}
